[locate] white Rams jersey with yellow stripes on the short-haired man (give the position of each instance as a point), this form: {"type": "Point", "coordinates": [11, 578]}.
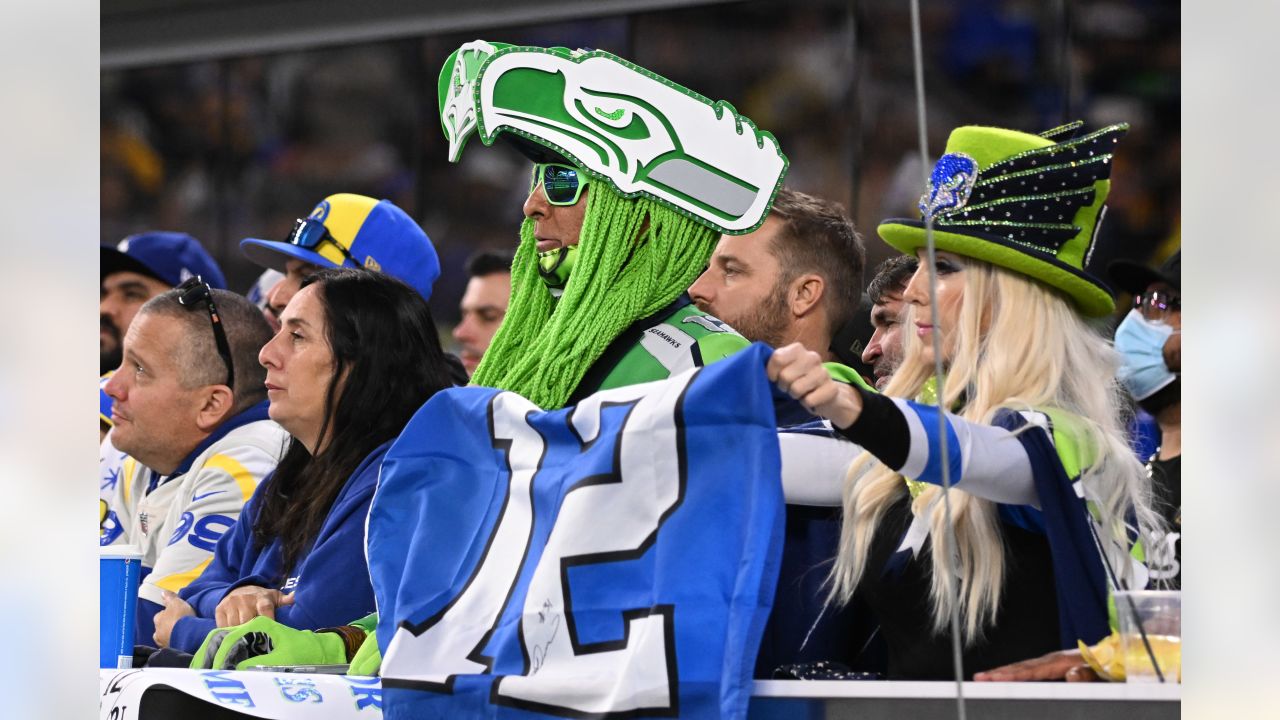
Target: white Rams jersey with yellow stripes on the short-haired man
{"type": "Point", "coordinates": [181, 520]}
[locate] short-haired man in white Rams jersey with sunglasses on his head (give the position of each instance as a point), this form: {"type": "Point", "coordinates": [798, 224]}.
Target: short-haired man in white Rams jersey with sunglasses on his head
{"type": "Point", "coordinates": [190, 411]}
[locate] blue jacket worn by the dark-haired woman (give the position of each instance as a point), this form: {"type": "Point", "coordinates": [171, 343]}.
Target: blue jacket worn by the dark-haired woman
{"type": "Point", "coordinates": [331, 582]}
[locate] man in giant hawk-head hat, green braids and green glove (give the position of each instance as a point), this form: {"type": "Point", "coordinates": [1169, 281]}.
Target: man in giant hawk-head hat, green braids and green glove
{"type": "Point", "coordinates": [634, 180]}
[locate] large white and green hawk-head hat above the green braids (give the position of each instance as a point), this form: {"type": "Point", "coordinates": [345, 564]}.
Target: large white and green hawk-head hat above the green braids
{"type": "Point", "coordinates": [621, 124]}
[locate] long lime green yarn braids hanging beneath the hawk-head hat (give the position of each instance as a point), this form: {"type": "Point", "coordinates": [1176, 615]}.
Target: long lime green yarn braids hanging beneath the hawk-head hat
{"type": "Point", "coordinates": [625, 271]}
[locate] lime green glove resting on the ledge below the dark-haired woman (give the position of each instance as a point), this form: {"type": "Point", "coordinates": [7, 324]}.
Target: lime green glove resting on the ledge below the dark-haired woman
{"type": "Point", "coordinates": [263, 641]}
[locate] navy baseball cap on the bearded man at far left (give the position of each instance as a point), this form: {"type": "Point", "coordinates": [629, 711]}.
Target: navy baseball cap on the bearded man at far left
{"type": "Point", "coordinates": [168, 257]}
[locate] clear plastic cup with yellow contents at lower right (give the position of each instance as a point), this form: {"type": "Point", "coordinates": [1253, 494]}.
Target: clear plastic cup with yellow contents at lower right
{"type": "Point", "coordinates": [1160, 617]}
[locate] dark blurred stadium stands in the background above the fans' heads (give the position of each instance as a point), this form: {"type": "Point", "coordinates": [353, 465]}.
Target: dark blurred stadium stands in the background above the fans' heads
{"type": "Point", "coordinates": [240, 147]}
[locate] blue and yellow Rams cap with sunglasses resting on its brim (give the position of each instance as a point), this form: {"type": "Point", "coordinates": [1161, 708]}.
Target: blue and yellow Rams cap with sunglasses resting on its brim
{"type": "Point", "coordinates": [355, 231]}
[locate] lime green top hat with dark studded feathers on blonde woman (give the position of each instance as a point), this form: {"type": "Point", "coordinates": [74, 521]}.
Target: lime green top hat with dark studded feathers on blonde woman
{"type": "Point", "coordinates": [1027, 203]}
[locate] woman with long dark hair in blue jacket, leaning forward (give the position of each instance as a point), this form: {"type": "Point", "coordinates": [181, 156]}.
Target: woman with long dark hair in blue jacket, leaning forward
{"type": "Point", "coordinates": [356, 357]}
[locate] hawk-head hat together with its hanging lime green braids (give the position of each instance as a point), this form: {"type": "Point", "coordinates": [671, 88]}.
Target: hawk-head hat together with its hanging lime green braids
{"type": "Point", "coordinates": [670, 171]}
